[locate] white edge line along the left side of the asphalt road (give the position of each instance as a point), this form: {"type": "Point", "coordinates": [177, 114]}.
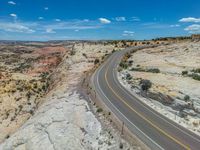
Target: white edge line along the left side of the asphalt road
{"type": "Point", "coordinates": [123, 114]}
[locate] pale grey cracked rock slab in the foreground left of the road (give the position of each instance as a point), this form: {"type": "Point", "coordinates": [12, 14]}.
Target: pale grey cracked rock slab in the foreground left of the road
{"type": "Point", "coordinates": [65, 122]}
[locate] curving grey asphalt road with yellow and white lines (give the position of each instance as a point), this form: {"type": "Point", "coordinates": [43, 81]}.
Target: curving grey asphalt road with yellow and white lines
{"type": "Point", "coordinates": [154, 129]}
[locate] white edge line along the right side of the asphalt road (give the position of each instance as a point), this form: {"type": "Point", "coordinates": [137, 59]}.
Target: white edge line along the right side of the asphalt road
{"type": "Point", "coordinates": [141, 103]}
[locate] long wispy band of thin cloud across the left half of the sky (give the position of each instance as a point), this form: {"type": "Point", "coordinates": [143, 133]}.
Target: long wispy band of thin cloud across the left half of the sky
{"type": "Point", "coordinates": [47, 27]}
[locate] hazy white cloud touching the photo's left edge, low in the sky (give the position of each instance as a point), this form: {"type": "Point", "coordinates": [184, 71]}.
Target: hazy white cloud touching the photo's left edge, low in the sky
{"type": "Point", "coordinates": [15, 27]}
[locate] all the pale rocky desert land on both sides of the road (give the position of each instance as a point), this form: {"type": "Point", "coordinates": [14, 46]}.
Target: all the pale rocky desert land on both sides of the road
{"type": "Point", "coordinates": [46, 102]}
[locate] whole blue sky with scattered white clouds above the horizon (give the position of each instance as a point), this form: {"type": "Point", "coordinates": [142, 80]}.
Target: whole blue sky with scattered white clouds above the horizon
{"type": "Point", "coordinates": [42, 20]}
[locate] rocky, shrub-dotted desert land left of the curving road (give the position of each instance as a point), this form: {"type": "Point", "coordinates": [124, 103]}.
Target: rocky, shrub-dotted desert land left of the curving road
{"type": "Point", "coordinates": [42, 104]}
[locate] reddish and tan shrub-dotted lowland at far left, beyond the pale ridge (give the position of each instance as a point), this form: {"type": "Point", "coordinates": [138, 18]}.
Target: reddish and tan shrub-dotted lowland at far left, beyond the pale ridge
{"type": "Point", "coordinates": [24, 79]}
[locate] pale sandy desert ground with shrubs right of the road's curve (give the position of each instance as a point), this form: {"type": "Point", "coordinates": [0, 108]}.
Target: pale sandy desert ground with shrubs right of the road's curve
{"type": "Point", "coordinates": [167, 79]}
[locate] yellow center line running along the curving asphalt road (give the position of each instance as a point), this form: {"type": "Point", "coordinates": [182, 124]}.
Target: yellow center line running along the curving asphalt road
{"type": "Point", "coordinates": [143, 117]}
